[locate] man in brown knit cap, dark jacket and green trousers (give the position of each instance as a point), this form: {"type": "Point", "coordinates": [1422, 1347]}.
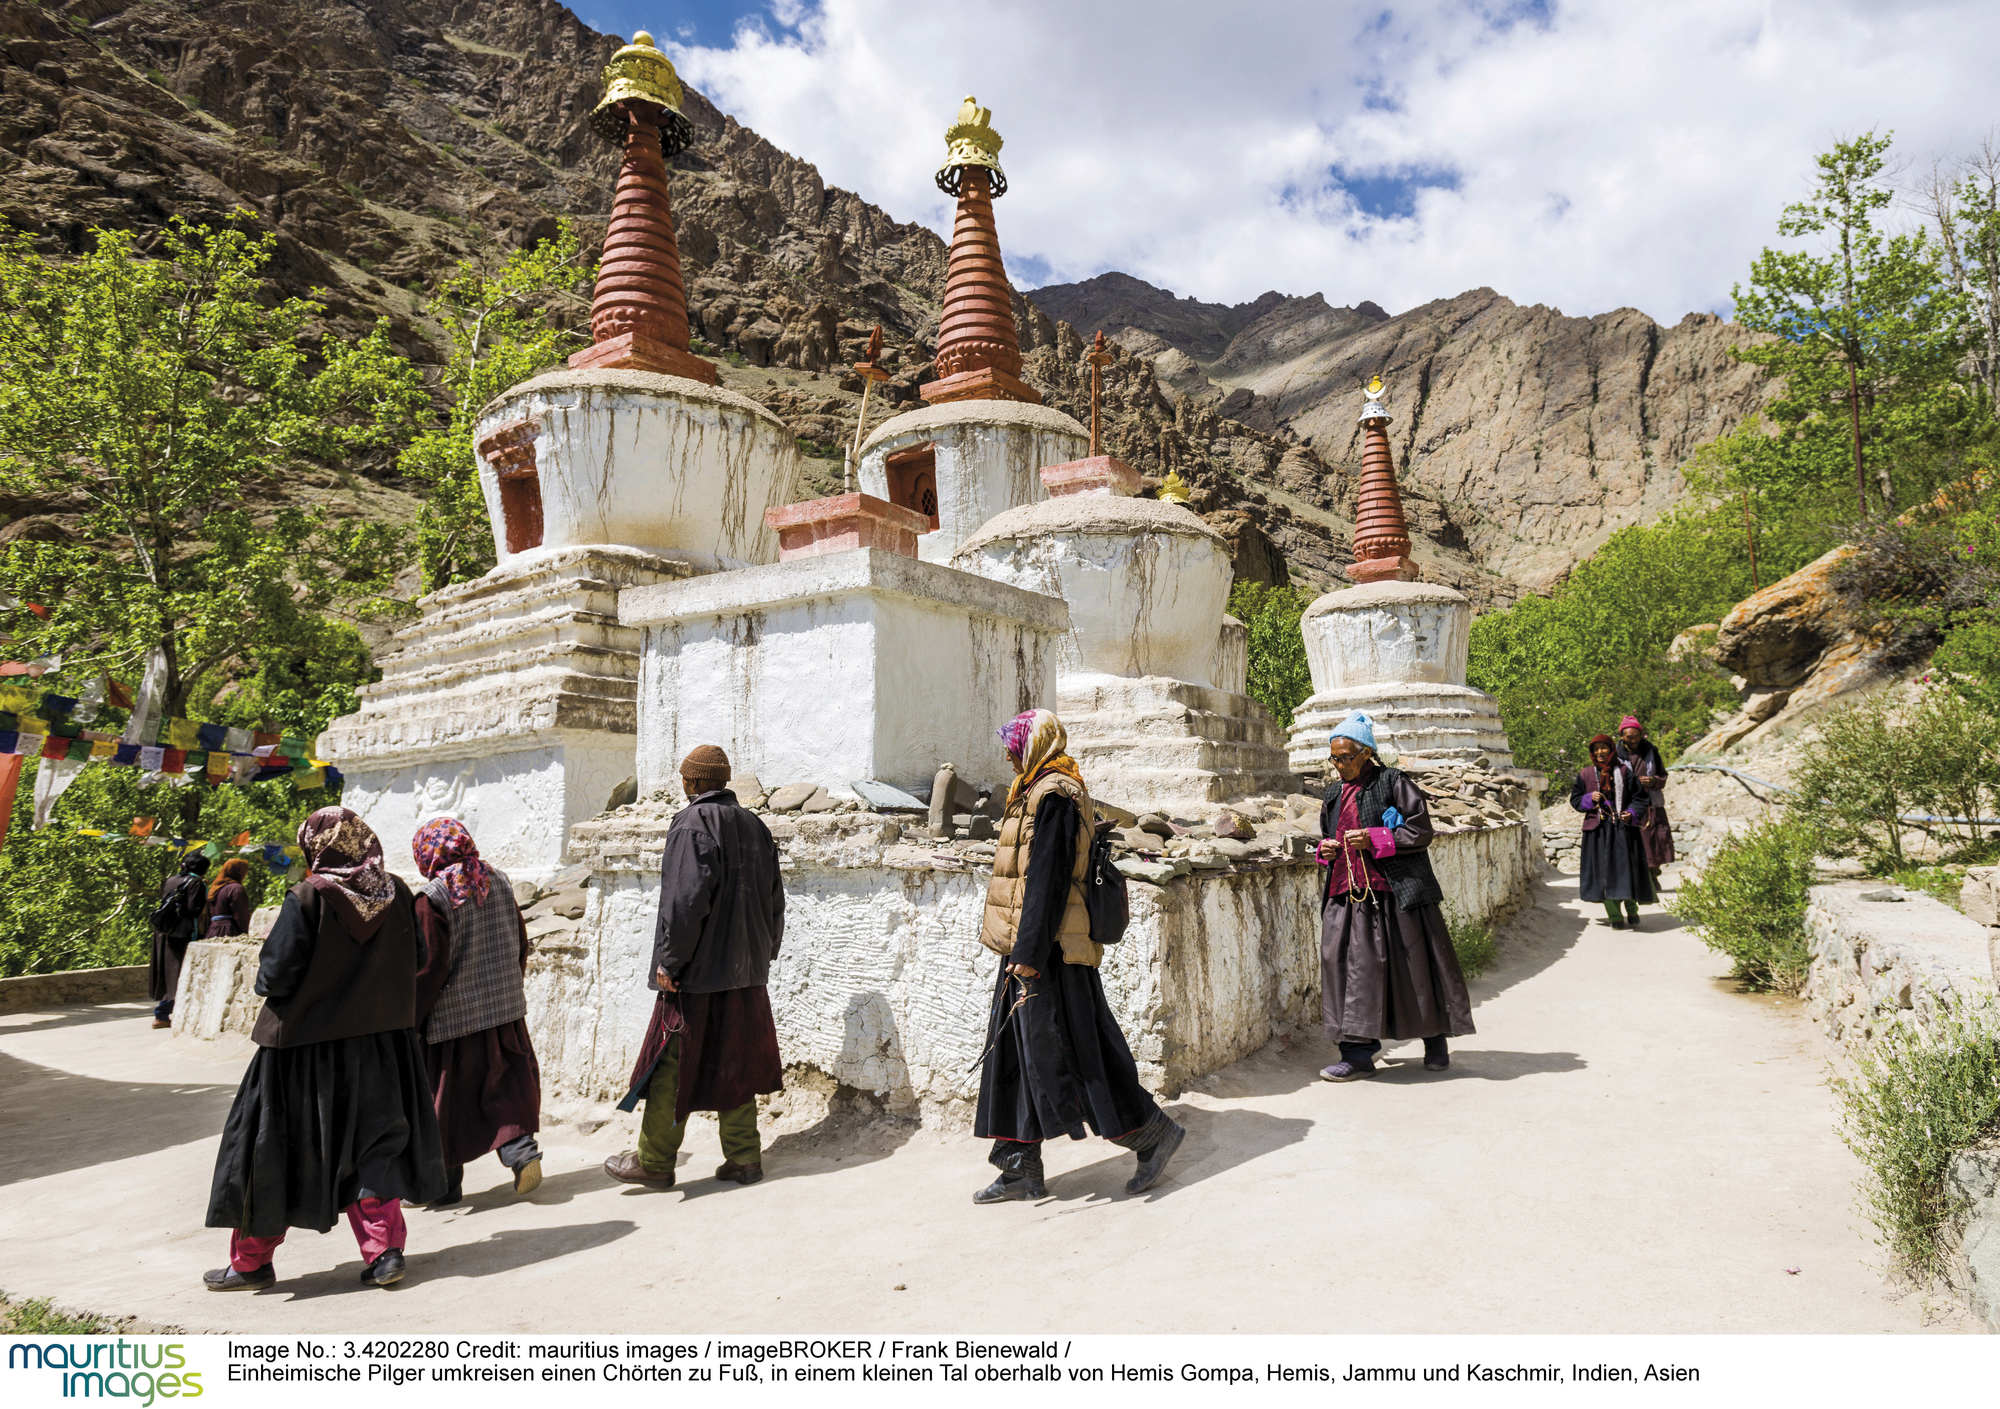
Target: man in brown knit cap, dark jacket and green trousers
{"type": "Point", "coordinates": [713, 1044]}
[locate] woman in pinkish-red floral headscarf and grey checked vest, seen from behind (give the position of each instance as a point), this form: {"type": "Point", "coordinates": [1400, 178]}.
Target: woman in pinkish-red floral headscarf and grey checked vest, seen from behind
{"type": "Point", "coordinates": [475, 1012]}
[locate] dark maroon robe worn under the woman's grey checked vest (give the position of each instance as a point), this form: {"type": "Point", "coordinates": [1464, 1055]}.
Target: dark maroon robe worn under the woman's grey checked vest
{"type": "Point", "coordinates": [487, 1088]}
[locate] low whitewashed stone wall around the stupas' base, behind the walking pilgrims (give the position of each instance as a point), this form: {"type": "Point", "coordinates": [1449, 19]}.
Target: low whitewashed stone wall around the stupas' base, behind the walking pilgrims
{"type": "Point", "coordinates": [883, 986]}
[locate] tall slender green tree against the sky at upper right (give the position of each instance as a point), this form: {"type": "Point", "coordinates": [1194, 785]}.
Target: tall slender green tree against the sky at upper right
{"type": "Point", "coordinates": [1867, 339]}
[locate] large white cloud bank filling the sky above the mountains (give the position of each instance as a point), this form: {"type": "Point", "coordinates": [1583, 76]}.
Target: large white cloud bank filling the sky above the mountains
{"type": "Point", "coordinates": [1585, 155]}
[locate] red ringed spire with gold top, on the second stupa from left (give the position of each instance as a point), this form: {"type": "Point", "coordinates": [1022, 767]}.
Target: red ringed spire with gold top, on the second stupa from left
{"type": "Point", "coordinates": [979, 345]}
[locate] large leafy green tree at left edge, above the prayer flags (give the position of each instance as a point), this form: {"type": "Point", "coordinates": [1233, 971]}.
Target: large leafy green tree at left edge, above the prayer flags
{"type": "Point", "coordinates": [169, 395]}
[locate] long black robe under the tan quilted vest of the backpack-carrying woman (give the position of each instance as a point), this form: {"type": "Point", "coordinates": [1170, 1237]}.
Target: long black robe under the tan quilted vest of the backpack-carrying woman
{"type": "Point", "coordinates": [1057, 1064]}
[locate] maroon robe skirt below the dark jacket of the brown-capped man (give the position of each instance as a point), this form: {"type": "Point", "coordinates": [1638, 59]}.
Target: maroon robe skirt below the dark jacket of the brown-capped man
{"type": "Point", "coordinates": [729, 1050]}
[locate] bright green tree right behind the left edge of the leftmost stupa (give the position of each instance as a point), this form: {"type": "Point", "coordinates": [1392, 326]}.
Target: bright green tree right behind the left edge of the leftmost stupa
{"type": "Point", "coordinates": [509, 317]}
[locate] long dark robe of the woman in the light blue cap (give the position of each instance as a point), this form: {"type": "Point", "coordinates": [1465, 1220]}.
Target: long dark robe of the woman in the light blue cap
{"type": "Point", "coordinates": [1391, 974]}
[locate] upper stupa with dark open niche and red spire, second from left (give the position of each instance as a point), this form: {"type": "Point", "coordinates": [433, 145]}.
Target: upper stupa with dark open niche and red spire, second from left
{"type": "Point", "coordinates": [977, 449]}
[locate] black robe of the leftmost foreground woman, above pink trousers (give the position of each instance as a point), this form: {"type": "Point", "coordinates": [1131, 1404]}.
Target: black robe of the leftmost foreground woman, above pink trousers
{"type": "Point", "coordinates": [321, 1126]}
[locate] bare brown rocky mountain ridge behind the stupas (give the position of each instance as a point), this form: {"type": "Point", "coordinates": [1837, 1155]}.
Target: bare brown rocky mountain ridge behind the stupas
{"type": "Point", "coordinates": [387, 139]}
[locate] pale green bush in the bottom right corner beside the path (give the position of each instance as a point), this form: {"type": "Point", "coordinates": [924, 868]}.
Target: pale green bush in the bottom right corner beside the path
{"type": "Point", "coordinates": [1917, 1102]}
